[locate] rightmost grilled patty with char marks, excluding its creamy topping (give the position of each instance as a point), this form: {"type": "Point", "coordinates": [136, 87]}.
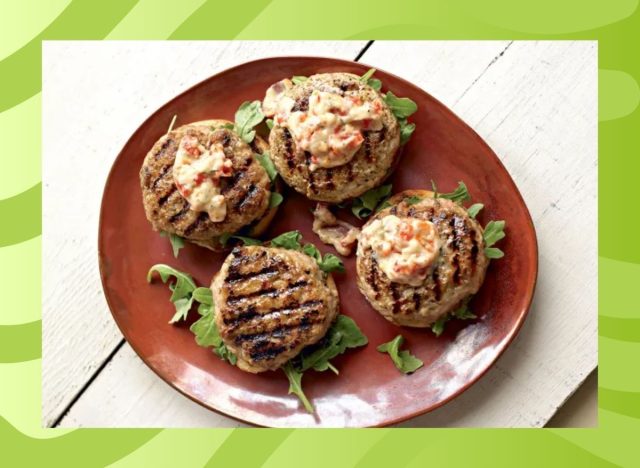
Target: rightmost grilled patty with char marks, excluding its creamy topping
{"type": "Point", "coordinates": [457, 272]}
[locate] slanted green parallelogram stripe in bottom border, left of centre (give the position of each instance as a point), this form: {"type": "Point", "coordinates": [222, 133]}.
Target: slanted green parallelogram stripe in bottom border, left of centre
{"type": "Point", "coordinates": [244, 448]}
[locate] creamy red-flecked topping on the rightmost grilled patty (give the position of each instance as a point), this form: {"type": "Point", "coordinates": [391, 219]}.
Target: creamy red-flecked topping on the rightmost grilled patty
{"type": "Point", "coordinates": [405, 248]}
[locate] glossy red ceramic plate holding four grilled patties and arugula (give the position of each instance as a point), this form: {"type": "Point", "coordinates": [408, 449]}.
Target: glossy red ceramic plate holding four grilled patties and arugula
{"type": "Point", "coordinates": [369, 390]}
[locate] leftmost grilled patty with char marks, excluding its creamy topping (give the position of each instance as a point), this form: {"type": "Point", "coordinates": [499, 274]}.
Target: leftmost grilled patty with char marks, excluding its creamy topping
{"type": "Point", "coordinates": [246, 192]}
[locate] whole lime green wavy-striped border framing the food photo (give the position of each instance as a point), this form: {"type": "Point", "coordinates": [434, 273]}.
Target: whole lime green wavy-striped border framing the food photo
{"type": "Point", "coordinates": [24, 24]}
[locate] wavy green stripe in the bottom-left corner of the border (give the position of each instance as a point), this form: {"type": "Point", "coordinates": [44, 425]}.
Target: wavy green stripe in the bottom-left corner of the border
{"type": "Point", "coordinates": [96, 447]}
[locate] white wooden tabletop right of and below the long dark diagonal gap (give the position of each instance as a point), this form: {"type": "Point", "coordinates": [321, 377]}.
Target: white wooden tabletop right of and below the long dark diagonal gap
{"type": "Point", "coordinates": [542, 101]}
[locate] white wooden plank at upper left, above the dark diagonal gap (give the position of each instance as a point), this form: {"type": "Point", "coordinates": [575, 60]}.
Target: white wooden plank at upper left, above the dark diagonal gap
{"type": "Point", "coordinates": [94, 96]}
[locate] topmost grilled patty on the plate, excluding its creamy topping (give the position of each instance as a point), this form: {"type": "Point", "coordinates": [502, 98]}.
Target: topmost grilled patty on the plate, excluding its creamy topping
{"type": "Point", "coordinates": [372, 163]}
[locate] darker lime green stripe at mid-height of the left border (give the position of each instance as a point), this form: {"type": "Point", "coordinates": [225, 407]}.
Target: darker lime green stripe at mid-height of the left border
{"type": "Point", "coordinates": [21, 216]}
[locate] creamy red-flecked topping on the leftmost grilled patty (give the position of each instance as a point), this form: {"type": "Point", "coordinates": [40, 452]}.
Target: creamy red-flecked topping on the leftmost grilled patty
{"type": "Point", "coordinates": [197, 171]}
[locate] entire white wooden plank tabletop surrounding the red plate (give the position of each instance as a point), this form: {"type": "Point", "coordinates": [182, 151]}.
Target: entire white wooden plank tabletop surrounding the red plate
{"type": "Point", "coordinates": [535, 103]}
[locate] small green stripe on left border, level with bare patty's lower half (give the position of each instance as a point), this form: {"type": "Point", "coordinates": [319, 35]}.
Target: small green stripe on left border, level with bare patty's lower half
{"type": "Point", "coordinates": [20, 342]}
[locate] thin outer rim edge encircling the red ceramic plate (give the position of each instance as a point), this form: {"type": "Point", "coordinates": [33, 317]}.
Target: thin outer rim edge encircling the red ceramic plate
{"type": "Point", "coordinates": [507, 339]}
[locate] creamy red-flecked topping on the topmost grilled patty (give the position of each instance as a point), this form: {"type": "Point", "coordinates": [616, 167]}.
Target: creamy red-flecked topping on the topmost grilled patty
{"type": "Point", "coordinates": [330, 129]}
